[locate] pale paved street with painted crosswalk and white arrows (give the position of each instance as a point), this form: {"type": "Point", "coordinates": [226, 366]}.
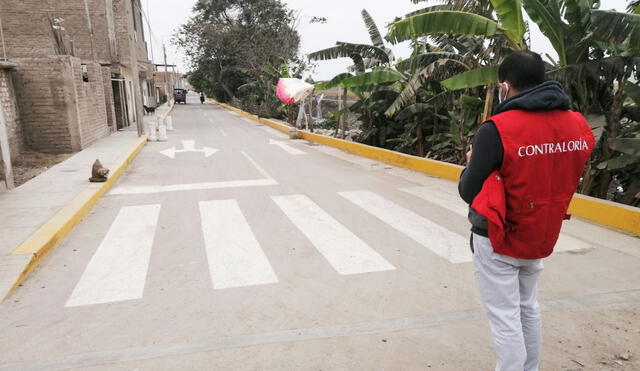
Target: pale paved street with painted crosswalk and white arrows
{"type": "Point", "coordinates": [230, 247]}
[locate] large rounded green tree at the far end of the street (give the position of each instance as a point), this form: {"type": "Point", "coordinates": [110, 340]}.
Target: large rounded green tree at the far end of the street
{"type": "Point", "coordinates": [232, 43]}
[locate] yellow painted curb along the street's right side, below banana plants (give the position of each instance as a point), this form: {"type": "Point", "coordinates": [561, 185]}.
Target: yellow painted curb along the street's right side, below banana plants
{"type": "Point", "coordinates": [607, 213]}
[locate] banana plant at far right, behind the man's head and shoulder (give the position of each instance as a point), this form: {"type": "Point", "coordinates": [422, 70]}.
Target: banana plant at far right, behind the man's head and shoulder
{"type": "Point", "coordinates": [598, 51]}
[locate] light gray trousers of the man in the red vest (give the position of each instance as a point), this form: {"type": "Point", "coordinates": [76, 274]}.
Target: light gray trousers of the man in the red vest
{"type": "Point", "coordinates": [508, 288]}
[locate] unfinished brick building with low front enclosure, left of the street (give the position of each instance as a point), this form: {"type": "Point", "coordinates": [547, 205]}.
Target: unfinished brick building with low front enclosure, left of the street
{"type": "Point", "coordinates": [81, 69]}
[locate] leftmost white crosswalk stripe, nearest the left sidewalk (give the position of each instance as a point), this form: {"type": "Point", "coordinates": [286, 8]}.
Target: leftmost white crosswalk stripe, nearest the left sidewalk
{"type": "Point", "coordinates": [118, 269]}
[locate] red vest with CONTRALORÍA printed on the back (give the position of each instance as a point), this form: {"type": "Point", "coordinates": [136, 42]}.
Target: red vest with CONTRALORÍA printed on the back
{"type": "Point", "coordinates": [526, 201]}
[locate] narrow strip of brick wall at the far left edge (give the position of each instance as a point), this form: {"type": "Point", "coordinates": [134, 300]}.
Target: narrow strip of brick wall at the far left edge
{"type": "Point", "coordinates": [9, 106]}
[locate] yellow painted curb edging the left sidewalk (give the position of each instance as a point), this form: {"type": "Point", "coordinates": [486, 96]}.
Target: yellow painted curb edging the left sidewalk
{"type": "Point", "coordinates": [47, 236]}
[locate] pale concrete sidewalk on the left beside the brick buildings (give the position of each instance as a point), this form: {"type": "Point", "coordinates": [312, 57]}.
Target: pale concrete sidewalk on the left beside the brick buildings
{"type": "Point", "coordinates": [26, 209]}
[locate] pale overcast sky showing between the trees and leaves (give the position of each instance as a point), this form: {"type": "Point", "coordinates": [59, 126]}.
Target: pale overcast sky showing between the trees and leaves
{"type": "Point", "coordinates": [344, 23]}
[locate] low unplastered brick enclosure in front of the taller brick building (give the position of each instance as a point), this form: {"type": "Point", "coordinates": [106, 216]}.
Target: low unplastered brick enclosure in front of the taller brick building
{"type": "Point", "coordinates": [60, 113]}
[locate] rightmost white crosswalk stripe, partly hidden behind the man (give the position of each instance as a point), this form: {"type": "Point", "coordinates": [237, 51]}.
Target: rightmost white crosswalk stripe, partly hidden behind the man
{"type": "Point", "coordinates": [455, 204]}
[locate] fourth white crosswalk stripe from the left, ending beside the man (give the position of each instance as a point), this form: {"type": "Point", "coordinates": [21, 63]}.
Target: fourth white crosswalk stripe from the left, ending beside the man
{"type": "Point", "coordinates": [441, 241]}
